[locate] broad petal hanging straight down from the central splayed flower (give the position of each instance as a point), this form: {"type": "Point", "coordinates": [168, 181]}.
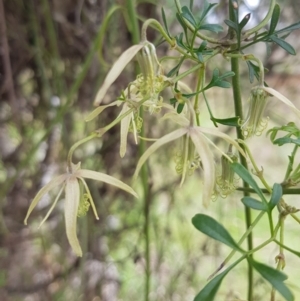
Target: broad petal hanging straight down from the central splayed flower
{"type": "Point", "coordinates": [207, 161]}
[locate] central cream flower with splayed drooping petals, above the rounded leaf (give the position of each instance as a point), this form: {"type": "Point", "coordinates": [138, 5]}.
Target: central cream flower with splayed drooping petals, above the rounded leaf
{"type": "Point", "coordinates": [195, 149]}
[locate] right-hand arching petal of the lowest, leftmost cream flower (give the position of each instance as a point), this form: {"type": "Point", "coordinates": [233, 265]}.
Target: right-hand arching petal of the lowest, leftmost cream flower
{"type": "Point", "coordinates": [98, 176]}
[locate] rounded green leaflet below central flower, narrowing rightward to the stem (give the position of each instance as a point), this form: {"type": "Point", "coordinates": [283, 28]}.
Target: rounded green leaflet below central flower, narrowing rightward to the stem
{"type": "Point", "coordinates": [213, 229]}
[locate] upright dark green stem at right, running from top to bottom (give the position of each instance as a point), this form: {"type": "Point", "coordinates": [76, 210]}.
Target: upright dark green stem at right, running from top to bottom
{"type": "Point", "coordinates": [239, 112]}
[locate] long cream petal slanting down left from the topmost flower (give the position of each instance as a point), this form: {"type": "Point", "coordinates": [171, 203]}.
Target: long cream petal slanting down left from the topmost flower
{"type": "Point", "coordinates": [116, 70]}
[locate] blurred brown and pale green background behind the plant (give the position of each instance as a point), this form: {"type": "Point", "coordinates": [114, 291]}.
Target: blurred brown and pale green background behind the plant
{"type": "Point", "coordinates": [49, 74]}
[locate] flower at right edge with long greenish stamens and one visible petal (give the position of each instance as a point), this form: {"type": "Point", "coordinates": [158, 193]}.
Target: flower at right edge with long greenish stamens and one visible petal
{"type": "Point", "coordinates": [254, 124]}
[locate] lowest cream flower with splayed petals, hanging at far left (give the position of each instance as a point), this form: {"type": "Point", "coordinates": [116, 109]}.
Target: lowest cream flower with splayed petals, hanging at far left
{"type": "Point", "coordinates": [69, 183]}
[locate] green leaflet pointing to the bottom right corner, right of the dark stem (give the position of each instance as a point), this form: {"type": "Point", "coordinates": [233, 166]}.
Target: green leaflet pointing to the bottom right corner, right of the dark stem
{"type": "Point", "coordinates": [275, 278]}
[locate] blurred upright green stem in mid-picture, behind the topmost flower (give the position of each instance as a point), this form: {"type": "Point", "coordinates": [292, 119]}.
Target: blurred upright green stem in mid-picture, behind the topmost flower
{"type": "Point", "coordinates": [144, 171]}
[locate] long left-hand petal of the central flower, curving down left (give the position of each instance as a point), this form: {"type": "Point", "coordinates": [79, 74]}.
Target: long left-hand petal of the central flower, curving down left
{"type": "Point", "coordinates": [156, 145]}
